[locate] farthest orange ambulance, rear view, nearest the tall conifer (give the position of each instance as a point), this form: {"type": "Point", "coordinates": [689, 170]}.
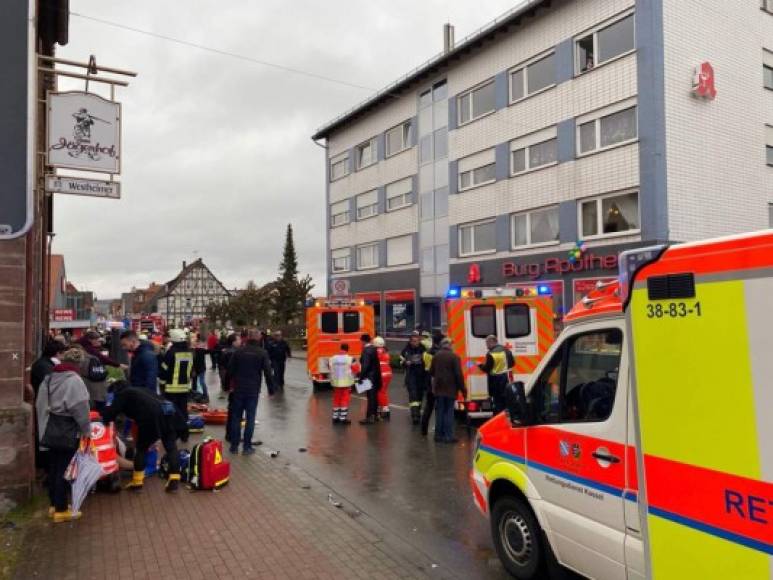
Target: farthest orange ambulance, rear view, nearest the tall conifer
{"type": "Point", "coordinates": [329, 323]}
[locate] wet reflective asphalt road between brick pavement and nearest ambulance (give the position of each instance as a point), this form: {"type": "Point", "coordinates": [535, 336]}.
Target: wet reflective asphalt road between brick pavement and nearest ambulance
{"type": "Point", "coordinates": [413, 487]}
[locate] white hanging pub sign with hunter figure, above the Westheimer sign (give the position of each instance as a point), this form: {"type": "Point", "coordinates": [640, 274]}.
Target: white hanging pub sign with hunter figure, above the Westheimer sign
{"type": "Point", "coordinates": [84, 132]}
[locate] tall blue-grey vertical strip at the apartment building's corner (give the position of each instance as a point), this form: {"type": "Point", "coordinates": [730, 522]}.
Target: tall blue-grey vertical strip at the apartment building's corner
{"type": "Point", "coordinates": [653, 194]}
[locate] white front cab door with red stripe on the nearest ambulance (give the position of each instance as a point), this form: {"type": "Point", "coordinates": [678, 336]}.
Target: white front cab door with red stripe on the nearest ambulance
{"type": "Point", "coordinates": [576, 453]}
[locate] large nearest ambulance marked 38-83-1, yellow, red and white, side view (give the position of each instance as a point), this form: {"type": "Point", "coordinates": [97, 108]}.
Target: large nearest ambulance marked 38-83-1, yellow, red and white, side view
{"type": "Point", "coordinates": [642, 446]}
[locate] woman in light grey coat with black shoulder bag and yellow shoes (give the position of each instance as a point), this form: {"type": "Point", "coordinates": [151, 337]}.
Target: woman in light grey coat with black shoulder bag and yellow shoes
{"type": "Point", "coordinates": [62, 409]}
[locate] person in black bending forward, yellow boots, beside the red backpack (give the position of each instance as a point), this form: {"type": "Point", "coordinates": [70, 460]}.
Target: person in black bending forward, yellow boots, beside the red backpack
{"type": "Point", "coordinates": [156, 419]}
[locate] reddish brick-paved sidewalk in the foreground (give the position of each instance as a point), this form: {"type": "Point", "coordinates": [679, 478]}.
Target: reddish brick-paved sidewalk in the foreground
{"type": "Point", "coordinates": [271, 521]}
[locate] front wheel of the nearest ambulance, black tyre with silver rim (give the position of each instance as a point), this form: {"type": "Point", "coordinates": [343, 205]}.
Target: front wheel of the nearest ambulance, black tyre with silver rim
{"type": "Point", "coordinates": [517, 538]}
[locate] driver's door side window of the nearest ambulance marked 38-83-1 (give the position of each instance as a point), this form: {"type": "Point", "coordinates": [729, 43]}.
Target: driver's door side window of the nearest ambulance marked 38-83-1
{"type": "Point", "coordinates": [580, 382]}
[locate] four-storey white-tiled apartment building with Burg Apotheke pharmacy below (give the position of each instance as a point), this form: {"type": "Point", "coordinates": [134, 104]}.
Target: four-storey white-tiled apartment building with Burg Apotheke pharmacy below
{"type": "Point", "coordinates": [600, 124]}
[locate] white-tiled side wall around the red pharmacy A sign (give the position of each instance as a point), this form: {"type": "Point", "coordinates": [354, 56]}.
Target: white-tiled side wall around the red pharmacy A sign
{"type": "Point", "coordinates": [718, 182]}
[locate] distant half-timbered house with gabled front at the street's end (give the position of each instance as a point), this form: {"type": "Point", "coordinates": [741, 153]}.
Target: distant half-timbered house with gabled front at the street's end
{"type": "Point", "coordinates": [185, 298]}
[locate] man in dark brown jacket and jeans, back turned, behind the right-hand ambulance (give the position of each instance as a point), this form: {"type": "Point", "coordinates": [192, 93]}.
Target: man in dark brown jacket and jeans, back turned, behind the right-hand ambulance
{"type": "Point", "coordinates": [447, 381]}
